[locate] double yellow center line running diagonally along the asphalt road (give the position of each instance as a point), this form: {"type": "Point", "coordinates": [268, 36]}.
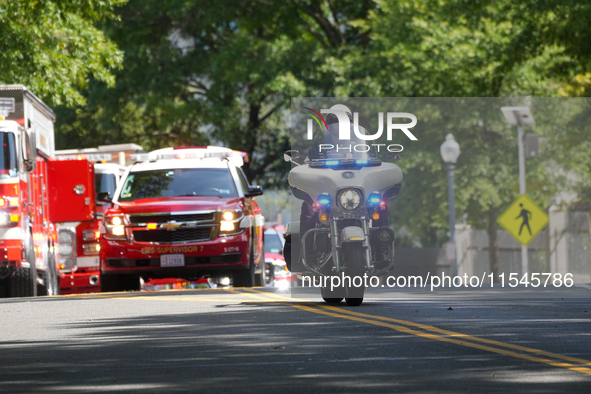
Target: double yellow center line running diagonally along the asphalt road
{"type": "Point", "coordinates": [362, 317]}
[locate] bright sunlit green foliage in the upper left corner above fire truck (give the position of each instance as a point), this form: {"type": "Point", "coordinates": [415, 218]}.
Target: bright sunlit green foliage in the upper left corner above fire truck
{"type": "Point", "coordinates": [53, 46]}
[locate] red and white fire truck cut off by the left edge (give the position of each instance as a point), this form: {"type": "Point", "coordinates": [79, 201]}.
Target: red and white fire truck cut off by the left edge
{"type": "Point", "coordinates": [35, 193]}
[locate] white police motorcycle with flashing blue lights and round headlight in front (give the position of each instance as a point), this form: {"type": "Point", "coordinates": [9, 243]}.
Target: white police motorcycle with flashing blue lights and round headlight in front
{"type": "Point", "coordinates": [343, 229]}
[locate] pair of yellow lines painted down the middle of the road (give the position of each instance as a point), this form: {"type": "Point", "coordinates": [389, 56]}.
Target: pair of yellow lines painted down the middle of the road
{"type": "Point", "coordinates": [434, 333]}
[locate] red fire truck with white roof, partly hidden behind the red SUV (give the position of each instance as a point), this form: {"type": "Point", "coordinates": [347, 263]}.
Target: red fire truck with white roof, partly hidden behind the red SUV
{"type": "Point", "coordinates": [78, 266]}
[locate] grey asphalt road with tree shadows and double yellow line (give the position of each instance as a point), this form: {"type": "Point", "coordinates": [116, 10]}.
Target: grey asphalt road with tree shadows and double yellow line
{"type": "Point", "coordinates": [263, 341]}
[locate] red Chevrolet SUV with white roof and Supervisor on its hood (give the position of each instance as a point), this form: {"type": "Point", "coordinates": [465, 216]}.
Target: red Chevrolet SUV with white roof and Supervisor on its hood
{"type": "Point", "coordinates": [183, 213]}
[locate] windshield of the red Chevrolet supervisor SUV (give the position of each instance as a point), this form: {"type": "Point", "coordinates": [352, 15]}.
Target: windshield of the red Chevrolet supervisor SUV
{"type": "Point", "coordinates": [215, 182]}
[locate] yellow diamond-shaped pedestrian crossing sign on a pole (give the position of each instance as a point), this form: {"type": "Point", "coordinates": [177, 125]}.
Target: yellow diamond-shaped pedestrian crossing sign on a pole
{"type": "Point", "coordinates": [523, 219]}
